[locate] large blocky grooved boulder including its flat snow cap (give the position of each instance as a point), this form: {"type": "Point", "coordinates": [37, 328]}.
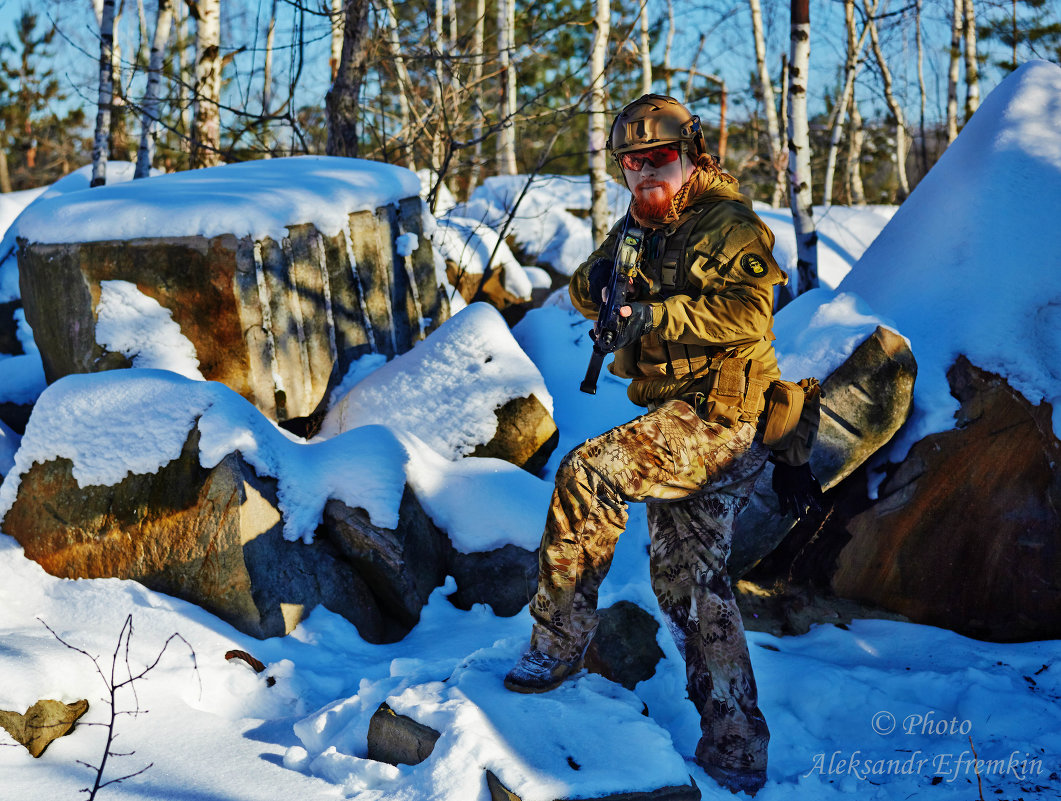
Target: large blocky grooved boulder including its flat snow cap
{"type": "Point", "coordinates": [270, 276]}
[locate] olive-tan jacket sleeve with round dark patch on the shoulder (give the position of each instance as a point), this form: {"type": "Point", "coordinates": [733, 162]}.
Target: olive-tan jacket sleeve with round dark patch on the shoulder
{"type": "Point", "coordinates": [737, 275]}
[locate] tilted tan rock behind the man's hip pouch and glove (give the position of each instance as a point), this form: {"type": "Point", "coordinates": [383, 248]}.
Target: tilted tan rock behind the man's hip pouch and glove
{"type": "Point", "coordinates": [865, 402]}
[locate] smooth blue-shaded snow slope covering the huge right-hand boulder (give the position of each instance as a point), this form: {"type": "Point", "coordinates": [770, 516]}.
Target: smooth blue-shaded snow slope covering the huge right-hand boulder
{"type": "Point", "coordinates": [970, 265]}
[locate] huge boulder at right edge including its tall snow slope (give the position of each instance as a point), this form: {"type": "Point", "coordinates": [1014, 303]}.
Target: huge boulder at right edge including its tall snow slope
{"type": "Point", "coordinates": [966, 533]}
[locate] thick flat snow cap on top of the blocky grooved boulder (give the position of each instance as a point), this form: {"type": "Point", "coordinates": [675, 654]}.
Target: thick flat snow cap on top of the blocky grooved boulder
{"type": "Point", "coordinates": [256, 199]}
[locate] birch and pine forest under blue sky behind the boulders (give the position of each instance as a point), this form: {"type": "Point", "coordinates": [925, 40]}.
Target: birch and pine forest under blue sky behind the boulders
{"type": "Point", "coordinates": [474, 89]}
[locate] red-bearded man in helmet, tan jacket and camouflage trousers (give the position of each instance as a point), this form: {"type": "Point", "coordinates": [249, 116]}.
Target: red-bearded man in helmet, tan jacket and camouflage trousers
{"type": "Point", "coordinates": [697, 343]}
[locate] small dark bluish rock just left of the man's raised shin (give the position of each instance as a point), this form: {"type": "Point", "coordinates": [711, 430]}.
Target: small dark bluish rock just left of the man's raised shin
{"type": "Point", "coordinates": [506, 579]}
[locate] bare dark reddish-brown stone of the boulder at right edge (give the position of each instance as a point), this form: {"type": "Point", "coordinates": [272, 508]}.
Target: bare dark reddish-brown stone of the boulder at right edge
{"type": "Point", "coordinates": [967, 531]}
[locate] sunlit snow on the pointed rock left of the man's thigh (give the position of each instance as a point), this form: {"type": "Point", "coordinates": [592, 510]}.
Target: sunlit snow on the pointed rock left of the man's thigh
{"type": "Point", "coordinates": [446, 390]}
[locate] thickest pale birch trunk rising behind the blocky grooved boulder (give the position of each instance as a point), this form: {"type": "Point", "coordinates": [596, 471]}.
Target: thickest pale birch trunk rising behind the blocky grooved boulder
{"type": "Point", "coordinates": [206, 110]}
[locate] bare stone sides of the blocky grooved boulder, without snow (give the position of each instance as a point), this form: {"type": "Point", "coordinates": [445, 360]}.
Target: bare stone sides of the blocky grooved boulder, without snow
{"type": "Point", "coordinates": [279, 322]}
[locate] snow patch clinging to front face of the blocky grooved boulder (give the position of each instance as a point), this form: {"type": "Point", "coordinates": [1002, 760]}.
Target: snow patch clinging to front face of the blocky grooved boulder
{"type": "Point", "coordinates": [131, 323]}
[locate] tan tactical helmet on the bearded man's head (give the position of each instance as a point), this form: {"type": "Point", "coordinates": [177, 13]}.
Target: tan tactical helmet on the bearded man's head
{"type": "Point", "coordinates": [653, 120]}
